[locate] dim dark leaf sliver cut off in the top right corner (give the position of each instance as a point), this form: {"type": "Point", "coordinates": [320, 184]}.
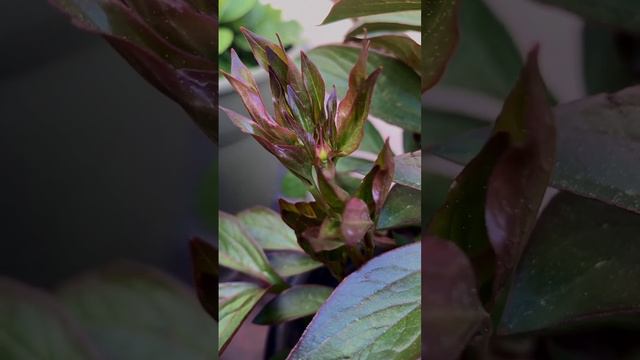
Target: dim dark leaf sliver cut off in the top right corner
{"type": "Point", "coordinates": [621, 14]}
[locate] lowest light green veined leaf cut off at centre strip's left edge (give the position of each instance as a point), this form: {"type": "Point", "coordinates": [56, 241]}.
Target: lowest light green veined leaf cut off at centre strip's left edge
{"type": "Point", "coordinates": [236, 300]}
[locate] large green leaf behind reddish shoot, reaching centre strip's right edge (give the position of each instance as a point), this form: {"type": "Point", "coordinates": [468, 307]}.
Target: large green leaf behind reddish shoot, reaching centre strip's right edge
{"type": "Point", "coordinates": [396, 102]}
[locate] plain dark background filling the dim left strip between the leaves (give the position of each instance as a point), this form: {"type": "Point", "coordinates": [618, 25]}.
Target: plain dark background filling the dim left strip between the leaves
{"type": "Point", "coordinates": [96, 165]}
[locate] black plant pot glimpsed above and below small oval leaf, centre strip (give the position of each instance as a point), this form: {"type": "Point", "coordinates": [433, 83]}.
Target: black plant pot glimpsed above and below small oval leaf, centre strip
{"type": "Point", "coordinates": [282, 338]}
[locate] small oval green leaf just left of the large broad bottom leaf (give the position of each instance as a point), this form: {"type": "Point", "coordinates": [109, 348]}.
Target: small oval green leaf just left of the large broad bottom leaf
{"type": "Point", "coordinates": [293, 303]}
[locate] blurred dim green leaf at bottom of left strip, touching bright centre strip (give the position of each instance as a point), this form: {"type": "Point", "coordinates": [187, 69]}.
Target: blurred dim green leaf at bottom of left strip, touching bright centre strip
{"type": "Point", "coordinates": [134, 312]}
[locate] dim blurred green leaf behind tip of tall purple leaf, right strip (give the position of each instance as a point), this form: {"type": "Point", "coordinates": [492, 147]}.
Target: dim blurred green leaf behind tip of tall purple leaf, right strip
{"type": "Point", "coordinates": [487, 60]}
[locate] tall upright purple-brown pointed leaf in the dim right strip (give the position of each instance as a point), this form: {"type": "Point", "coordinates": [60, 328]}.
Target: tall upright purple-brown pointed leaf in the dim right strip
{"type": "Point", "coordinates": [520, 179]}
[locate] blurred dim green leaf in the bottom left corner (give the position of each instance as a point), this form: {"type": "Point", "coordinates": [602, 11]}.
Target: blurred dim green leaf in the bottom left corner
{"type": "Point", "coordinates": [35, 326]}
